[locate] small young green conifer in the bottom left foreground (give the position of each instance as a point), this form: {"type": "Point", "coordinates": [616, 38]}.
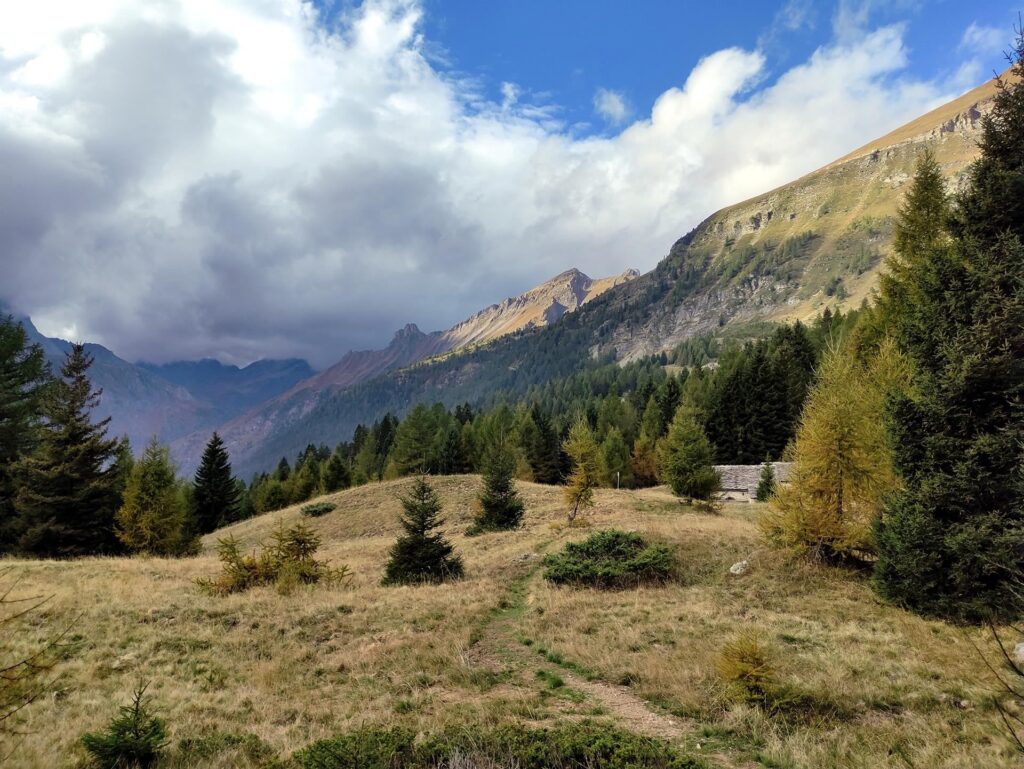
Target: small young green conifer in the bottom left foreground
{"type": "Point", "coordinates": [134, 739]}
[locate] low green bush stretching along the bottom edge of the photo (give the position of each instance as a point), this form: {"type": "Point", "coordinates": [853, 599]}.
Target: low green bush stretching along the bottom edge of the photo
{"type": "Point", "coordinates": [564, 747]}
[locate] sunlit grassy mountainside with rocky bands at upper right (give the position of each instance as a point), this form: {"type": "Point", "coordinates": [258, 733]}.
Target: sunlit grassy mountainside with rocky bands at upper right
{"type": "Point", "coordinates": [821, 241]}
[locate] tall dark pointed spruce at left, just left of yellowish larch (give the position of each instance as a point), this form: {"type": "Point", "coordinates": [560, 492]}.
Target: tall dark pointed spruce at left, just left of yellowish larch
{"type": "Point", "coordinates": [67, 491]}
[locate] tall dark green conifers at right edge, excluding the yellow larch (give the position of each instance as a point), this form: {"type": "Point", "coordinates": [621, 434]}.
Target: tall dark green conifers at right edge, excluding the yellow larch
{"type": "Point", "coordinates": [953, 538]}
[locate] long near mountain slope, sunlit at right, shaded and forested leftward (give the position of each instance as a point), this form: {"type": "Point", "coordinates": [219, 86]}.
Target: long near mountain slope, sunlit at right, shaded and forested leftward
{"type": "Point", "coordinates": [818, 242]}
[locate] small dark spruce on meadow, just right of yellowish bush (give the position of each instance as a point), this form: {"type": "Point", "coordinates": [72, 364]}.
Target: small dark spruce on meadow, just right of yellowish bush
{"type": "Point", "coordinates": [421, 554]}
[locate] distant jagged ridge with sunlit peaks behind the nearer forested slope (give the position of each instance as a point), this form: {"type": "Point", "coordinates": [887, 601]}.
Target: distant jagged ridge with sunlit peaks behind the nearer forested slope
{"type": "Point", "coordinates": [536, 309]}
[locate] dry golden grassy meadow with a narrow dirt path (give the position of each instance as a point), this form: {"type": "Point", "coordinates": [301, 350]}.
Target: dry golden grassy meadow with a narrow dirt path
{"type": "Point", "coordinates": [249, 679]}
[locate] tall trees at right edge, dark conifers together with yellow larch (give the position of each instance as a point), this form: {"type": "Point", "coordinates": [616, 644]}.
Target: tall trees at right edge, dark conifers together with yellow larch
{"type": "Point", "coordinates": [910, 454]}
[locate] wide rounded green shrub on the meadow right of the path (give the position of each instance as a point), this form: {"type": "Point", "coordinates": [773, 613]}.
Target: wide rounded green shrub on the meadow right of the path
{"type": "Point", "coordinates": [611, 560]}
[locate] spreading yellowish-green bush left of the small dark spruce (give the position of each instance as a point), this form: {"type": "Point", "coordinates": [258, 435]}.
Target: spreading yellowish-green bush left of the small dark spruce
{"type": "Point", "coordinates": [286, 563]}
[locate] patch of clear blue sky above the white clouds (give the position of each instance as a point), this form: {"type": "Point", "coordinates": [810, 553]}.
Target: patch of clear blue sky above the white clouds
{"type": "Point", "coordinates": [561, 53]}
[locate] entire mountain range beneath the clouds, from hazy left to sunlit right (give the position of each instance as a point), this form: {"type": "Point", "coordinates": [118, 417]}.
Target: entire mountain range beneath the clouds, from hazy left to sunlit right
{"type": "Point", "coordinates": [818, 242]}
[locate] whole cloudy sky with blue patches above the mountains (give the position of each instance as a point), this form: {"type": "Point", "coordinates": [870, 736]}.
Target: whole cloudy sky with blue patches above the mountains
{"type": "Point", "coordinates": [274, 179]}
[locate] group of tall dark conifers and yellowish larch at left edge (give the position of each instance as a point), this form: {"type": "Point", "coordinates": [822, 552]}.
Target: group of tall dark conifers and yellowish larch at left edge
{"type": "Point", "coordinates": [68, 490]}
